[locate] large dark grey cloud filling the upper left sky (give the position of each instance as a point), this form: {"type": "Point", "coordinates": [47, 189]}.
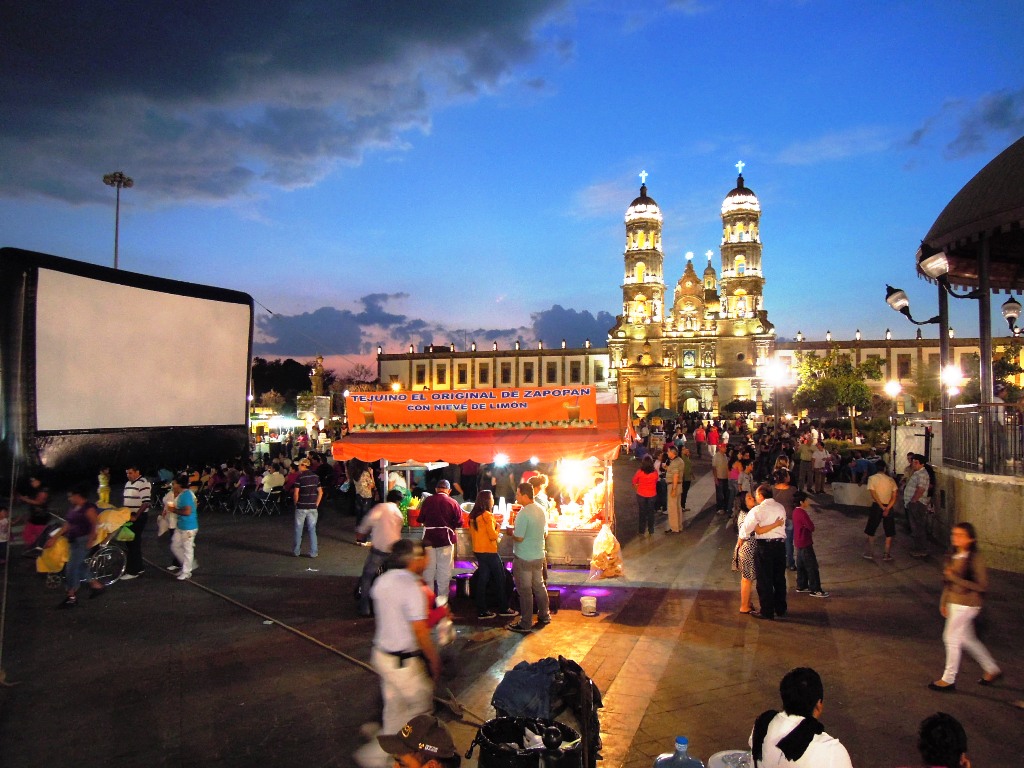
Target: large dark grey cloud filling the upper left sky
{"type": "Point", "coordinates": [210, 101]}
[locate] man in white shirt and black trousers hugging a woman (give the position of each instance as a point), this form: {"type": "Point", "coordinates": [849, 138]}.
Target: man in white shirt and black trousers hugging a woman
{"type": "Point", "coordinates": [766, 523]}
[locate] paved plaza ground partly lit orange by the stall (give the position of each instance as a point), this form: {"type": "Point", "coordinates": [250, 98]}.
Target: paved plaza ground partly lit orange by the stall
{"type": "Point", "coordinates": [162, 673]}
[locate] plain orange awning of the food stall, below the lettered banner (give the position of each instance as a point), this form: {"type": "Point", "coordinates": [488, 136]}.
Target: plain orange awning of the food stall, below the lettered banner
{"type": "Point", "coordinates": [457, 446]}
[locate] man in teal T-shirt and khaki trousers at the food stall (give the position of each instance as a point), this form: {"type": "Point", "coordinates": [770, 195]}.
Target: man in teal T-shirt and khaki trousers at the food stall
{"type": "Point", "coordinates": [528, 565]}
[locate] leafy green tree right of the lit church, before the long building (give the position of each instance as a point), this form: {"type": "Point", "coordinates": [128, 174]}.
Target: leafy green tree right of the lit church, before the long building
{"type": "Point", "coordinates": [833, 382]}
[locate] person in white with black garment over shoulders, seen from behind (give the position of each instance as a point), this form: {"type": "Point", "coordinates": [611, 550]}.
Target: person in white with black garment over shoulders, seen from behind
{"type": "Point", "coordinates": [795, 738]}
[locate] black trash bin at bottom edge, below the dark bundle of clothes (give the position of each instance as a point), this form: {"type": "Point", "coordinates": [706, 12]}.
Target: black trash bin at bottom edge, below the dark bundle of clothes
{"type": "Point", "coordinates": [501, 743]}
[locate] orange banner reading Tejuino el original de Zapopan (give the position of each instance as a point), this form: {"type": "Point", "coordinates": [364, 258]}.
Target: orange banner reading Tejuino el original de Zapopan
{"type": "Point", "coordinates": [540, 408]}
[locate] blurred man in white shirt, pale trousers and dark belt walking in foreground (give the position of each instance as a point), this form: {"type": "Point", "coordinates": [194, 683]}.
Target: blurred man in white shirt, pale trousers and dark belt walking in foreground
{"type": "Point", "coordinates": [404, 656]}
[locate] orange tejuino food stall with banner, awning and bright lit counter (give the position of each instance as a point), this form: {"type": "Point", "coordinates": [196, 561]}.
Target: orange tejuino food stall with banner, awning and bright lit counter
{"type": "Point", "coordinates": [564, 426]}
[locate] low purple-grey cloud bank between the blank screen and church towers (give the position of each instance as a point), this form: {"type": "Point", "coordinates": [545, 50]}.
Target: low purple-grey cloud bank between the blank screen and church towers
{"type": "Point", "coordinates": [330, 331]}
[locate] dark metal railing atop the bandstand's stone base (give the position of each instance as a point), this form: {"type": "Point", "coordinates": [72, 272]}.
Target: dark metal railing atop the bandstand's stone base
{"type": "Point", "coordinates": [984, 439]}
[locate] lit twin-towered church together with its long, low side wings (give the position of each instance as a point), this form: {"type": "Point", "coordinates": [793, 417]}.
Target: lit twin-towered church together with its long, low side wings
{"type": "Point", "coordinates": [693, 344]}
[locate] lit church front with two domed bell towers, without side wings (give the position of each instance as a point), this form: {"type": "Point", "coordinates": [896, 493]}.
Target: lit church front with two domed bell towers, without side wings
{"type": "Point", "coordinates": [703, 342]}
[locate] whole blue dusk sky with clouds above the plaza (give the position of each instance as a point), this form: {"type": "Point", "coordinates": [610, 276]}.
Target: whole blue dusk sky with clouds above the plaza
{"type": "Point", "coordinates": [407, 173]}
